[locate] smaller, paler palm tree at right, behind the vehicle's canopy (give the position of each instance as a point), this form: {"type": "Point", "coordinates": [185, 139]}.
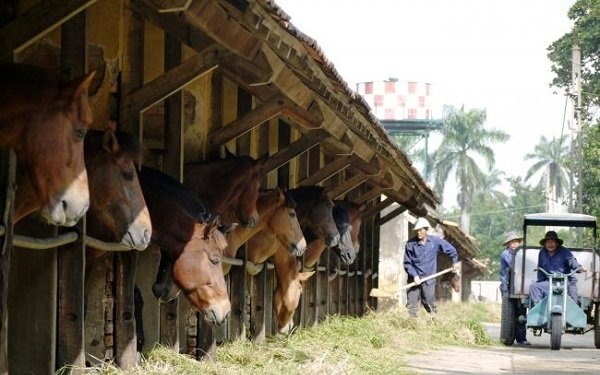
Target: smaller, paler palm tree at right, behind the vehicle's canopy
{"type": "Point", "coordinates": [551, 159]}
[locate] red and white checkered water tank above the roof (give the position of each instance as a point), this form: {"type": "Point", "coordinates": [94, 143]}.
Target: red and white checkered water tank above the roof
{"type": "Point", "coordinates": [397, 100]}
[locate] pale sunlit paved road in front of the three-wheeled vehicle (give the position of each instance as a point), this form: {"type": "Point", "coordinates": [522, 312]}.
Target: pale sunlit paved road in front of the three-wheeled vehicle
{"type": "Point", "coordinates": [578, 355]}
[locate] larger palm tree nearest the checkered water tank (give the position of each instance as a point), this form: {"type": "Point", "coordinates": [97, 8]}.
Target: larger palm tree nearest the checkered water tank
{"type": "Point", "coordinates": [464, 138]}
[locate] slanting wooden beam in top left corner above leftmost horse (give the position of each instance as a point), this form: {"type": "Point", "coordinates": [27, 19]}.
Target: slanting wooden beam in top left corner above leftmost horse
{"type": "Point", "coordinates": [36, 22]}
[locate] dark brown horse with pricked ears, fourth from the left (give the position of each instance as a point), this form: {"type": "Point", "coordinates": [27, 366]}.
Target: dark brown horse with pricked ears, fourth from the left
{"type": "Point", "coordinates": [228, 186]}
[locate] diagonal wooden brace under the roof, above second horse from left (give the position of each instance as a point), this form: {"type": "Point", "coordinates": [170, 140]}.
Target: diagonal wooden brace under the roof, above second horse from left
{"type": "Point", "coordinates": [173, 80]}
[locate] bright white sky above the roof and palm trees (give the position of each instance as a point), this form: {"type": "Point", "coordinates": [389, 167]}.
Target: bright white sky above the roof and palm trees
{"type": "Point", "coordinates": [484, 54]}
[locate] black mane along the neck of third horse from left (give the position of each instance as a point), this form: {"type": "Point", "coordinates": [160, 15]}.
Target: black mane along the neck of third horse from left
{"type": "Point", "coordinates": [178, 192]}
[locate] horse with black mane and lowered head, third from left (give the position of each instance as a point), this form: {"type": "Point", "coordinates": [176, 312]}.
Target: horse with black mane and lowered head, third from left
{"type": "Point", "coordinates": [191, 246]}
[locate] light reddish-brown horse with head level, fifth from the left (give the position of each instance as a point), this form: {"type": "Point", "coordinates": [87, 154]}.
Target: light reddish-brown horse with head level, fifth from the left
{"type": "Point", "coordinates": [277, 210]}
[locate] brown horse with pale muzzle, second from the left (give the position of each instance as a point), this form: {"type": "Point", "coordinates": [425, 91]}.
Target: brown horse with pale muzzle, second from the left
{"type": "Point", "coordinates": [118, 211]}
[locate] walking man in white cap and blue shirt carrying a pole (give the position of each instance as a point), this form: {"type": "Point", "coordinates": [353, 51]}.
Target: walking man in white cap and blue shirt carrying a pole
{"type": "Point", "coordinates": [420, 260]}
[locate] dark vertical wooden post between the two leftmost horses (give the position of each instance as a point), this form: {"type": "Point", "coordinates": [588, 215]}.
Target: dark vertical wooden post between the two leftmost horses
{"type": "Point", "coordinates": [71, 258]}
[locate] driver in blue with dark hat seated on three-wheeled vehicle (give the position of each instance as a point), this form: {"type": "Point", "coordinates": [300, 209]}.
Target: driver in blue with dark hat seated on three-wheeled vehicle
{"type": "Point", "coordinates": [554, 257]}
